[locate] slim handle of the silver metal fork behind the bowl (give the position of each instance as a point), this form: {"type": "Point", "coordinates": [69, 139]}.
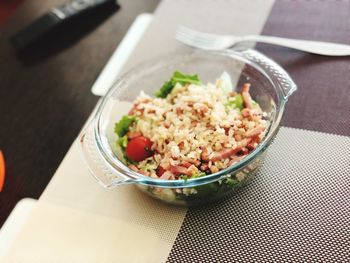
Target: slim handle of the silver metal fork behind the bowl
{"type": "Point", "coordinates": [315, 47]}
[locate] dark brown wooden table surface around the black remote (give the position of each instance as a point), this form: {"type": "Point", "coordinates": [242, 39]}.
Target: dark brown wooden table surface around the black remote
{"type": "Point", "coordinates": [45, 93]}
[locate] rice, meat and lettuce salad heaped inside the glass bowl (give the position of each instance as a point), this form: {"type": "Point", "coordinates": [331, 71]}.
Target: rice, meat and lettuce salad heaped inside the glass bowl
{"type": "Point", "coordinates": [190, 129]}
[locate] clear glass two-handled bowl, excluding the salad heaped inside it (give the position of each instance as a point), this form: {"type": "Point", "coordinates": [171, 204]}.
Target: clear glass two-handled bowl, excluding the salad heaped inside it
{"type": "Point", "coordinates": [270, 87]}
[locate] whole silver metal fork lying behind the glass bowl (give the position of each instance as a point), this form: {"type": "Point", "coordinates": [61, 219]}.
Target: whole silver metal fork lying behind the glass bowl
{"type": "Point", "coordinates": [219, 42]}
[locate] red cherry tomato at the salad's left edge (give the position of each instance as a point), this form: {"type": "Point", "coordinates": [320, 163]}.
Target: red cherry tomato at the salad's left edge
{"type": "Point", "coordinates": [139, 148]}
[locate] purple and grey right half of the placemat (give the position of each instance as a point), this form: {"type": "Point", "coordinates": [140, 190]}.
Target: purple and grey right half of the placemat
{"type": "Point", "coordinates": [297, 207]}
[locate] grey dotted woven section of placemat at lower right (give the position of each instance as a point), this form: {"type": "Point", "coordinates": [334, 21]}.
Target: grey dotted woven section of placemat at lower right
{"type": "Point", "coordinates": [296, 208]}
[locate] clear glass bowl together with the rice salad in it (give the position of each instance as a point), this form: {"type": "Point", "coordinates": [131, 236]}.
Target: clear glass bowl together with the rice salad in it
{"type": "Point", "coordinates": [188, 137]}
